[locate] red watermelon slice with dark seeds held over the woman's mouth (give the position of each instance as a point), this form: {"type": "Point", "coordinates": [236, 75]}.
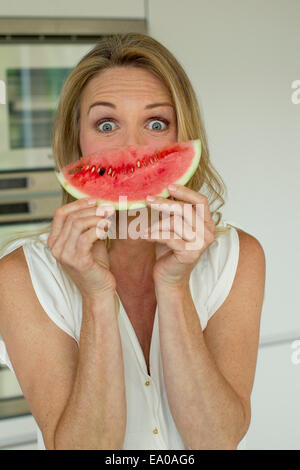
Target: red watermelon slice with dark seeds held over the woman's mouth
{"type": "Point", "coordinates": [132, 171]}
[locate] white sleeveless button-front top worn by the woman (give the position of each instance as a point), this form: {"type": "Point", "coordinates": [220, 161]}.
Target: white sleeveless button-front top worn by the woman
{"type": "Point", "coordinates": [150, 424]}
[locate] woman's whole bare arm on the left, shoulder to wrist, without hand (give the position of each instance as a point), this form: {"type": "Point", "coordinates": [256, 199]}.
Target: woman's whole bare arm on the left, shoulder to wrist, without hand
{"type": "Point", "coordinates": [76, 395]}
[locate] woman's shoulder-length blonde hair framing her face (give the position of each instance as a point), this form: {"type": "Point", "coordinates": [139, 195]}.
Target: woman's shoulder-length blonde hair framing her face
{"type": "Point", "coordinates": [138, 50]}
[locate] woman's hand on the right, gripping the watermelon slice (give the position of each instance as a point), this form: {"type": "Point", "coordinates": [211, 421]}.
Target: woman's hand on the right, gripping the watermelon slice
{"type": "Point", "coordinates": [189, 233]}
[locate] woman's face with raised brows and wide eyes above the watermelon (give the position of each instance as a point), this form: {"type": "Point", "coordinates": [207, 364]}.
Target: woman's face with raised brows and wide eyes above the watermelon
{"type": "Point", "coordinates": [136, 109]}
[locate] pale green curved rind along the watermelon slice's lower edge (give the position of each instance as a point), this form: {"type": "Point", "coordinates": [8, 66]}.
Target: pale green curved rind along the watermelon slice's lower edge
{"type": "Point", "coordinates": [123, 205]}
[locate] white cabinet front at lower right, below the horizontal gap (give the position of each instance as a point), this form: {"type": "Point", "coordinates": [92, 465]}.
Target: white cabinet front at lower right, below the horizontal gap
{"type": "Point", "coordinates": [276, 399]}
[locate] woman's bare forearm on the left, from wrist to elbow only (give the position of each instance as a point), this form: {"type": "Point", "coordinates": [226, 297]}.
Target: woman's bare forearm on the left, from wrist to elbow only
{"type": "Point", "coordinates": [95, 414]}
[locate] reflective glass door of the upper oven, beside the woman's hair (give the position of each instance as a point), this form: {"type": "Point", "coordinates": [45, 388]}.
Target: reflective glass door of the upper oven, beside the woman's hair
{"type": "Point", "coordinates": [34, 75]}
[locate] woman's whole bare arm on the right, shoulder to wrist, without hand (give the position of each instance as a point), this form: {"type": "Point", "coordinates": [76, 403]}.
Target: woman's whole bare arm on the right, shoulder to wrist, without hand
{"type": "Point", "coordinates": [209, 374]}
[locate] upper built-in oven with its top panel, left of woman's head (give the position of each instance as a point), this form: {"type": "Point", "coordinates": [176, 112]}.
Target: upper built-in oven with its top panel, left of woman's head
{"type": "Point", "coordinates": [36, 56]}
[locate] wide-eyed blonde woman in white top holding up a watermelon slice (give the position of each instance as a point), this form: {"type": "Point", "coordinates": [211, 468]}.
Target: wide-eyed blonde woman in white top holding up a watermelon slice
{"type": "Point", "coordinates": [175, 369]}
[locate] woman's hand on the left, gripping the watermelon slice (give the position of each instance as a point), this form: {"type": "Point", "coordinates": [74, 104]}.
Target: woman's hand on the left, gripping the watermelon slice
{"type": "Point", "coordinates": [75, 242]}
